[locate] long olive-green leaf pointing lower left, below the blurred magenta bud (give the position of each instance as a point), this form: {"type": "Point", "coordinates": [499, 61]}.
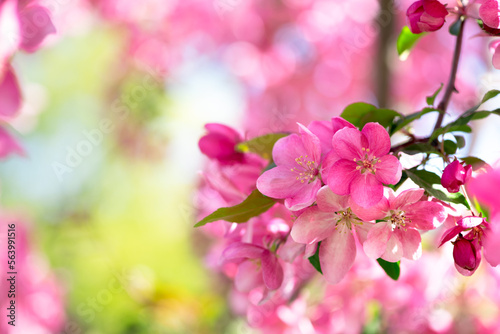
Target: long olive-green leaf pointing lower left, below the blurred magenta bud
{"type": "Point", "coordinates": [252, 206]}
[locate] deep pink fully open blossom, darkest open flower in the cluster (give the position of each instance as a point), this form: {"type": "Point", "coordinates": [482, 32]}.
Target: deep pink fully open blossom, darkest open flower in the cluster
{"type": "Point", "coordinates": [361, 164]}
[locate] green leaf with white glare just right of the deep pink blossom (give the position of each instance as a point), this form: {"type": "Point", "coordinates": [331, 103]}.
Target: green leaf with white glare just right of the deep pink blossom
{"type": "Point", "coordinates": [425, 179]}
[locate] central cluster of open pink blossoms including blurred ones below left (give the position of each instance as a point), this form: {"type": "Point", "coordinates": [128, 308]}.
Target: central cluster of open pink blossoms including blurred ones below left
{"type": "Point", "coordinates": [330, 184]}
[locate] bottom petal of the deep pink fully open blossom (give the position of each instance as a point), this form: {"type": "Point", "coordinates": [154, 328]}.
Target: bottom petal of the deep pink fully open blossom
{"type": "Point", "coordinates": [366, 190]}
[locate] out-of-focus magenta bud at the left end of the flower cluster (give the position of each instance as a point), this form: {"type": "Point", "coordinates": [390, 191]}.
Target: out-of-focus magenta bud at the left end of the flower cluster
{"type": "Point", "coordinates": [220, 143]}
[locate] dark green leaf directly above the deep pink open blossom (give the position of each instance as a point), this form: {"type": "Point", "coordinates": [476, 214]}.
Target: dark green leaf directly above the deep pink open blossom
{"type": "Point", "coordinates": [361, 113]}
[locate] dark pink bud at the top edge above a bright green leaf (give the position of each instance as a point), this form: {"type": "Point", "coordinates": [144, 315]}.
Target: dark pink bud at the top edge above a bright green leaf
{"type": "Point", "coordinates": [426, 15]}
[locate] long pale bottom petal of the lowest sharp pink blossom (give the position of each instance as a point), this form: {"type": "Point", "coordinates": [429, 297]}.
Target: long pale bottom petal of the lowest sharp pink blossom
{"type": "Point", "coordinates": [337, 254]}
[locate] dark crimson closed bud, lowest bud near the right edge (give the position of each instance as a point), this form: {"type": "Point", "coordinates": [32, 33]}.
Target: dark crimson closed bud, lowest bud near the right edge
{"type": "Point", "coordinates": [466, 255]}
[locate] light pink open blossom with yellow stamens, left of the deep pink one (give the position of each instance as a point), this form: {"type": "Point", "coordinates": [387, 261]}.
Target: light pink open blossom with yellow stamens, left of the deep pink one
{"type": "Point", "coordinates": [296, 177]}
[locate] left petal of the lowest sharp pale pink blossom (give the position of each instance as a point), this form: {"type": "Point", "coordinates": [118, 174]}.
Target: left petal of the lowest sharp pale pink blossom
{"type": "Point", "coordinates": [312, 226]}
